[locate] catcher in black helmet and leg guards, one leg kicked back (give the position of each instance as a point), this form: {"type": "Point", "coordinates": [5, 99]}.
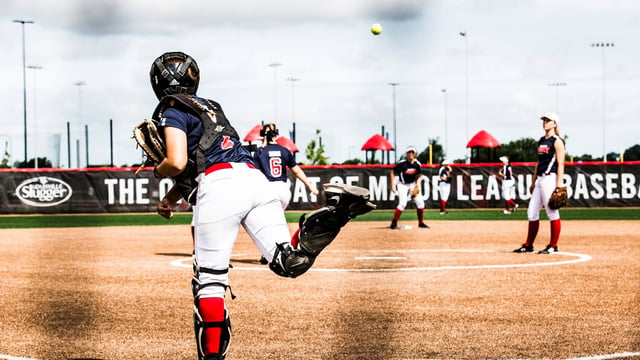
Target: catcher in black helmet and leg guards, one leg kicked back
{"type": "Point", "coordinates": [202, 148]}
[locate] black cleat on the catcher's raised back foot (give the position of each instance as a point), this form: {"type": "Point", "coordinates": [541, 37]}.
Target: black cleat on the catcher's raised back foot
{"type": "Point", "coordinates": [353, 198]}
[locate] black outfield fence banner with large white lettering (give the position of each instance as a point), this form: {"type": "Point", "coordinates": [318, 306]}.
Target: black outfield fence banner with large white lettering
{"type": "Point", "coordinates": [113, 190]}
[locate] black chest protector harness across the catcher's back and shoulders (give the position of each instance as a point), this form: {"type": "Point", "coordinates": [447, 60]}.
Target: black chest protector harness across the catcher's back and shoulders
{"type": "Point", "coordinates": [214, 123]}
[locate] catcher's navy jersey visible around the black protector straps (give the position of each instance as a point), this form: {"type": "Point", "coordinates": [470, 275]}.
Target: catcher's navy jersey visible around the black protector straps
{"type": "Point", "coordinates": [224, 149]}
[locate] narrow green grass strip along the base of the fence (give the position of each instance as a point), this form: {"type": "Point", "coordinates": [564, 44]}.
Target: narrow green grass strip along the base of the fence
{"type": "Point", "coordinates": [97, 220]}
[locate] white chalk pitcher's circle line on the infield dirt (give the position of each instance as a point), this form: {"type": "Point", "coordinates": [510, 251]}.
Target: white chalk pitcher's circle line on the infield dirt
{"type": "Point", "coordinates": [577, 258]}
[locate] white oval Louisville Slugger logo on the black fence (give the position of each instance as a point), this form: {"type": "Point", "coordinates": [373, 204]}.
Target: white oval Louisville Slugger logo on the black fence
{"type": "Point", "coordinates": [43, 191]}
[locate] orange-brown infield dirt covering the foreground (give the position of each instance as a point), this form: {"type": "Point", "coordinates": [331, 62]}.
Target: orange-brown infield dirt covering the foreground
{"type": "Point", "coordinates": [455, 291]}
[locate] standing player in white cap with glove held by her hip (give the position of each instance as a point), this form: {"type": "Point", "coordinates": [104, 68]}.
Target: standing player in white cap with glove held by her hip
{"type": "Point", "coordinates": [546, 189]}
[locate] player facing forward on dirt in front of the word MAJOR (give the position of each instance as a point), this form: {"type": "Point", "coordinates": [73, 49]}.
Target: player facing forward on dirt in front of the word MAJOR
{"type": "Point", "coordinates": [406, 179]}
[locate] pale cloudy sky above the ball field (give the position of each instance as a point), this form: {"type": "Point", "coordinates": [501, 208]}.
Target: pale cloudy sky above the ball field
{"type": "Point", "coordinates": [513, 50]}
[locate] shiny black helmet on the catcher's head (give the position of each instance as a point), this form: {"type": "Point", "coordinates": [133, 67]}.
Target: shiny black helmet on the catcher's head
{"type": "Point", "coordinates": [174, 73]}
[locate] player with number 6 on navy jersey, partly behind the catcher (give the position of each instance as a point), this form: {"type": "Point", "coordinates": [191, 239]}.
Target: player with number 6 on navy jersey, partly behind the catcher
{"type": "Point", "coordinates": [273, 160]}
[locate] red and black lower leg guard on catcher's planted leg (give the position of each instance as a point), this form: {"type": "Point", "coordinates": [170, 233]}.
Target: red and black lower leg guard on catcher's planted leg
{"type": "Point", "coordinates": [212, 328]}
